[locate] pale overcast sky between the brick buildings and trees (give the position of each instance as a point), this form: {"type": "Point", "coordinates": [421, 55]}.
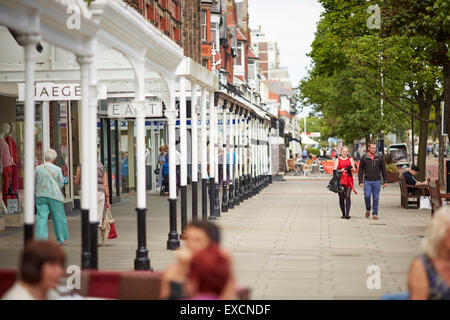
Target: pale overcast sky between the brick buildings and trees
{"type": "Point", "coordinates": [293, 24]}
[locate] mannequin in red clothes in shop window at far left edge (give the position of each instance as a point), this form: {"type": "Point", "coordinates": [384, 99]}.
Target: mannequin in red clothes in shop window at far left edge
{"type": "Point", "coordinates": [7, 162]}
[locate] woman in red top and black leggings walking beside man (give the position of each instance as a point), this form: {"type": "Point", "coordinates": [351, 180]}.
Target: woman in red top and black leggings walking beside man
{"type": "Point", "coordinates": [346, 166]}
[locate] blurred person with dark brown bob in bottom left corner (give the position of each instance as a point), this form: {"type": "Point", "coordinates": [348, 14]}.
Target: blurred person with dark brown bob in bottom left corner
{"type": "Point", "coordinates": [41, 268]}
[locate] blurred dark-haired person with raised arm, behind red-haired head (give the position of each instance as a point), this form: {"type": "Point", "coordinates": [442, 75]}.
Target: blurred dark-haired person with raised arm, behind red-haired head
{"type": "Point", "coordinates": [198, 235]}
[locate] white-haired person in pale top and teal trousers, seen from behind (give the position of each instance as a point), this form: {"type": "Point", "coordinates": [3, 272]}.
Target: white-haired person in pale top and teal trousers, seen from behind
{"type": "Point", "coordinates": [49, 199]}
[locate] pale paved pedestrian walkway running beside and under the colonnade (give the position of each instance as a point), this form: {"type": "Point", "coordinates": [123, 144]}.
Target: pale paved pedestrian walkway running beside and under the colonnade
{"type": "Point", "coordinates": [288, 242]}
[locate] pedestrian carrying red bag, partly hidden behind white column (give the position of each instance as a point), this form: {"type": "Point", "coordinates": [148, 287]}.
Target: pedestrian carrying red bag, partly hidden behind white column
{"type": "Point", "coordinates": [103, 195]}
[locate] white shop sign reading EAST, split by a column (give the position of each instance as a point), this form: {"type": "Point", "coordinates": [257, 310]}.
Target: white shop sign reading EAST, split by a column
{"type": "Point", "coordinates": [125, 109]}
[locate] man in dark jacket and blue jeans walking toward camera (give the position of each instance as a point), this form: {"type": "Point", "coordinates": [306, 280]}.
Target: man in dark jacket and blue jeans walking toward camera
{"type": "Point", "coordinates": [371, 168]}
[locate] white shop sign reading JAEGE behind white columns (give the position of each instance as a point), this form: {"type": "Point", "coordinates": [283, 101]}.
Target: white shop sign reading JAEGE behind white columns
{"type": "Point", "coordinates": [48, 91]}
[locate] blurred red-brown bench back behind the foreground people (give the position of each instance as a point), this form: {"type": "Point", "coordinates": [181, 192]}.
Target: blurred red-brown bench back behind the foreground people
{"type": "Point", "coordinates": [122, 285]}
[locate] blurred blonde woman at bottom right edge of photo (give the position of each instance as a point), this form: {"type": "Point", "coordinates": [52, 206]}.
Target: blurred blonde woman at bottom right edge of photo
{"type": "Point", "coordinates": [429, 273]}
